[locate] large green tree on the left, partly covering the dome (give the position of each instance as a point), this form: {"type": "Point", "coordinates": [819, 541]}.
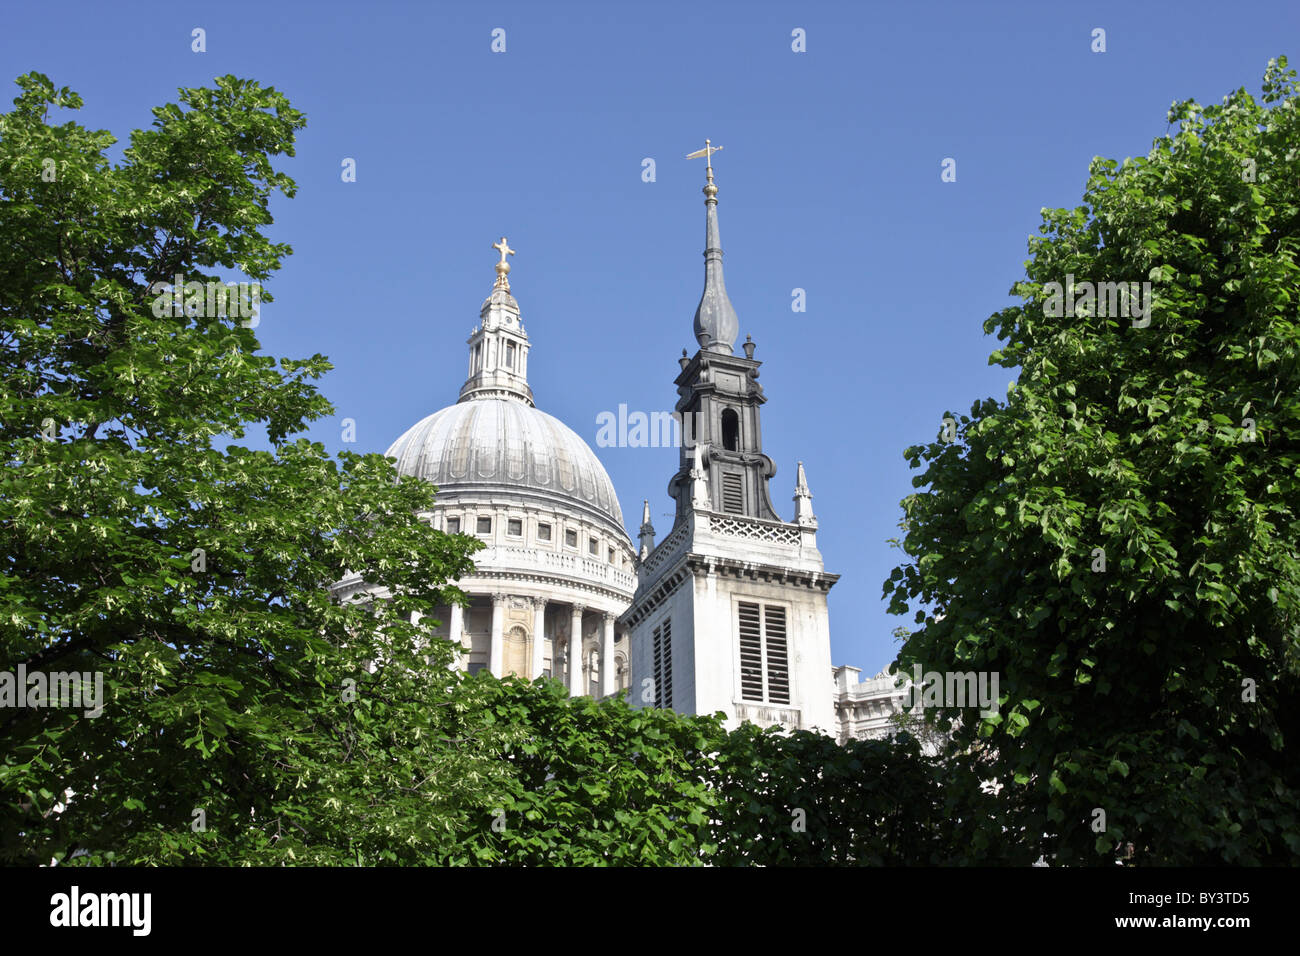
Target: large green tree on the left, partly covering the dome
{"type": "Point", "coordinates": [248, 719]}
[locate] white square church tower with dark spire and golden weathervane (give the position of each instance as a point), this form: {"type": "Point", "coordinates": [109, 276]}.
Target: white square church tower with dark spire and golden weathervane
{"type": "Point", "coordinates": [731, 608]}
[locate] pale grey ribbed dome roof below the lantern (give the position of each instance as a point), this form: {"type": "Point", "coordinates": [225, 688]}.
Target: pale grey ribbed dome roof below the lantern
{"type": "Point", "coordinates": [487, 445]}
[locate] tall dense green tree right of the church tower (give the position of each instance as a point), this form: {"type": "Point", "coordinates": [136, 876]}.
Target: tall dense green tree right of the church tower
{"type": "Point", "coordinates": [1119, 539]}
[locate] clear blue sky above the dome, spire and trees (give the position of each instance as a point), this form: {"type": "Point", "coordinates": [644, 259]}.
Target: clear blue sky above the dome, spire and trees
{"type": "Point", "coordinates": [830, 181]}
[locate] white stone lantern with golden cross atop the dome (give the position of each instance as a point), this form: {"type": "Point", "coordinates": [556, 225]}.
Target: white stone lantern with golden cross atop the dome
{"type": "Point", "coordinates": [499, 347]}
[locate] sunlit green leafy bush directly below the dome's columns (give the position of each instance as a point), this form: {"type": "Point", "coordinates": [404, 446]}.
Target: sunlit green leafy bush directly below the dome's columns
{"type": "Point", "coordinates": [591, 782]}
